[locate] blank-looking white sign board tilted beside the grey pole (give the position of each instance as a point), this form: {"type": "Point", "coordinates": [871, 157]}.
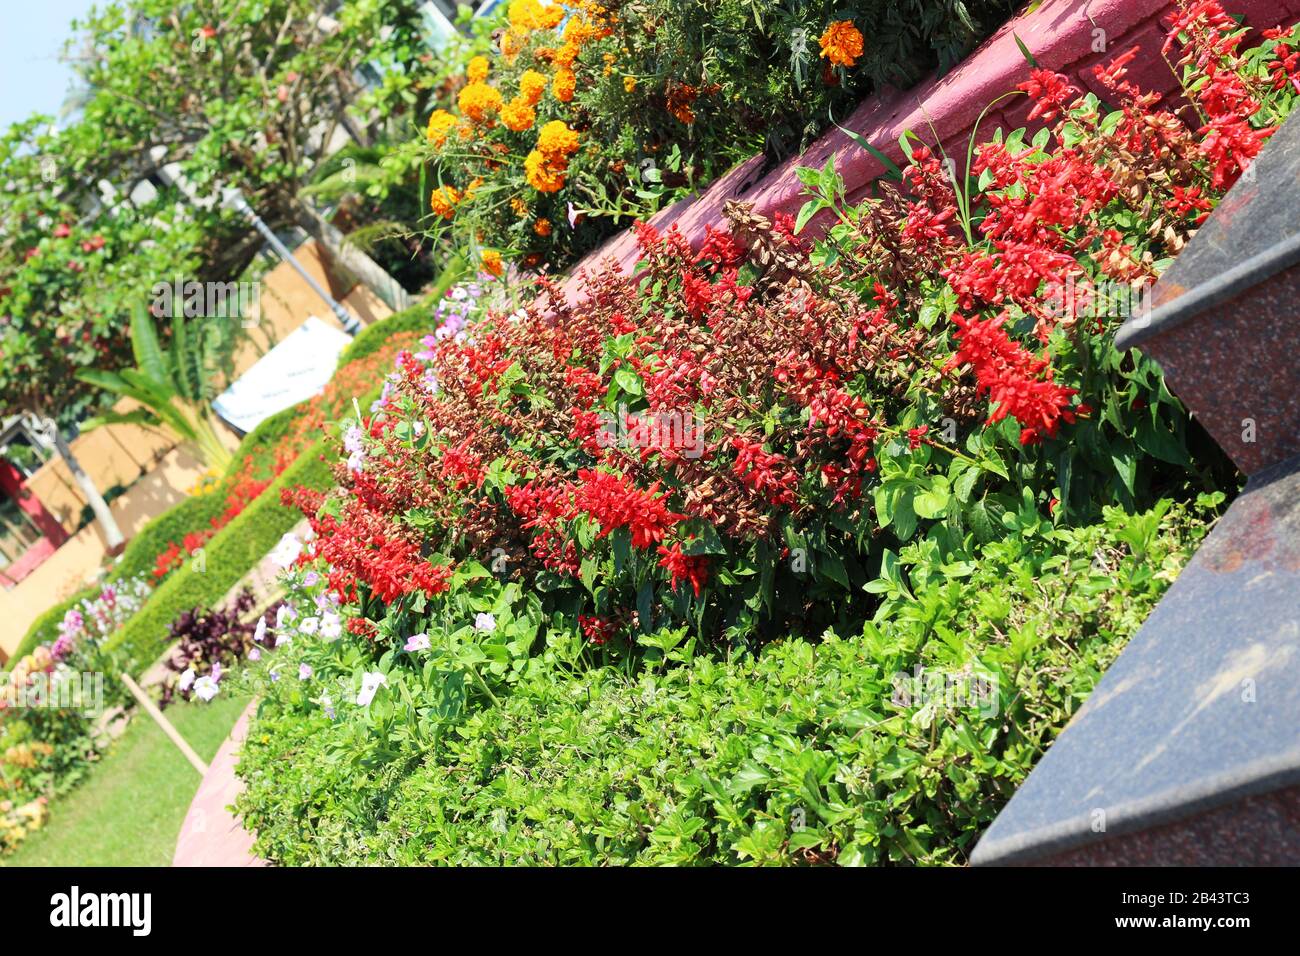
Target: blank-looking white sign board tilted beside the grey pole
{"type": "Point", "coordinates": [292, 373]}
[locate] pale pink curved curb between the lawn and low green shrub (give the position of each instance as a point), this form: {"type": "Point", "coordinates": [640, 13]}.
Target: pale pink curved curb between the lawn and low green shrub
{"type": "Point", "coordinates": [213, 836]}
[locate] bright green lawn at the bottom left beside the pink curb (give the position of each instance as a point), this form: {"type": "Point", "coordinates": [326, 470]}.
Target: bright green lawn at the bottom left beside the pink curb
{"type": "Point", "coordinates": [129, 810]}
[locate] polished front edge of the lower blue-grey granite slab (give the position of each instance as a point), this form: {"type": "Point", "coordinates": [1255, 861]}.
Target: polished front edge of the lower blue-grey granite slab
{"type": "Point", "coordinates": [1162, 810]}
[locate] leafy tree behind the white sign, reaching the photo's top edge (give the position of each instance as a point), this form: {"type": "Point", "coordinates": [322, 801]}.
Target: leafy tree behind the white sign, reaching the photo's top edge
{"type": "Point", "coordinates": [244, 96]}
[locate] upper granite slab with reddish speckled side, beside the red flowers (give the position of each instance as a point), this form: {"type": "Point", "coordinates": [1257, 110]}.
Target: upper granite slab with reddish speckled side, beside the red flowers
{"type": "Point", "coordinates": [1225, 323]}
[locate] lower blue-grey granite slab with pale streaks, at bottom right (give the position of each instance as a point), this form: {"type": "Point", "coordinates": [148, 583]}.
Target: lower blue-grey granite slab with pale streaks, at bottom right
{"type": "Point", "coordinates": [1195, 730]}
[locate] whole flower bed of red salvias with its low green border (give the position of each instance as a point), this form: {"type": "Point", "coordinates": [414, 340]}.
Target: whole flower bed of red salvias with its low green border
{"type": "Point", "coordinates": [616, 543]}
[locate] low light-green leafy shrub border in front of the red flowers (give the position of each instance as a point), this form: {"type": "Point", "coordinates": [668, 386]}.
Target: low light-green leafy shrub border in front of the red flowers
{"type": "Point", "coordinates": [809, 754]}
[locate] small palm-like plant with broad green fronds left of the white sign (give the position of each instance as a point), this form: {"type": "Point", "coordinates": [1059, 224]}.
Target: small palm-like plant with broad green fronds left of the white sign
{"type": "Point", "coordinates": [175, 387]}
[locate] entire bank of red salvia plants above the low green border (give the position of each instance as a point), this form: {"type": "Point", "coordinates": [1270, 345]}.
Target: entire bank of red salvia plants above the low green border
{"type": "Point", "coordinates": [738, 443]}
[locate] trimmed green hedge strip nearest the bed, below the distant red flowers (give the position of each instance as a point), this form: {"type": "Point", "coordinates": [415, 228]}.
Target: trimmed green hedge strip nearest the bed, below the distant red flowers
{"type": "Point", "coordinates": [228, 557]}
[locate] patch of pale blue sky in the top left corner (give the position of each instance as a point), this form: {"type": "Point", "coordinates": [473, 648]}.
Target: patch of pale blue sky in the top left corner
{"type": "Point", "coordinates": [32, 37]}
